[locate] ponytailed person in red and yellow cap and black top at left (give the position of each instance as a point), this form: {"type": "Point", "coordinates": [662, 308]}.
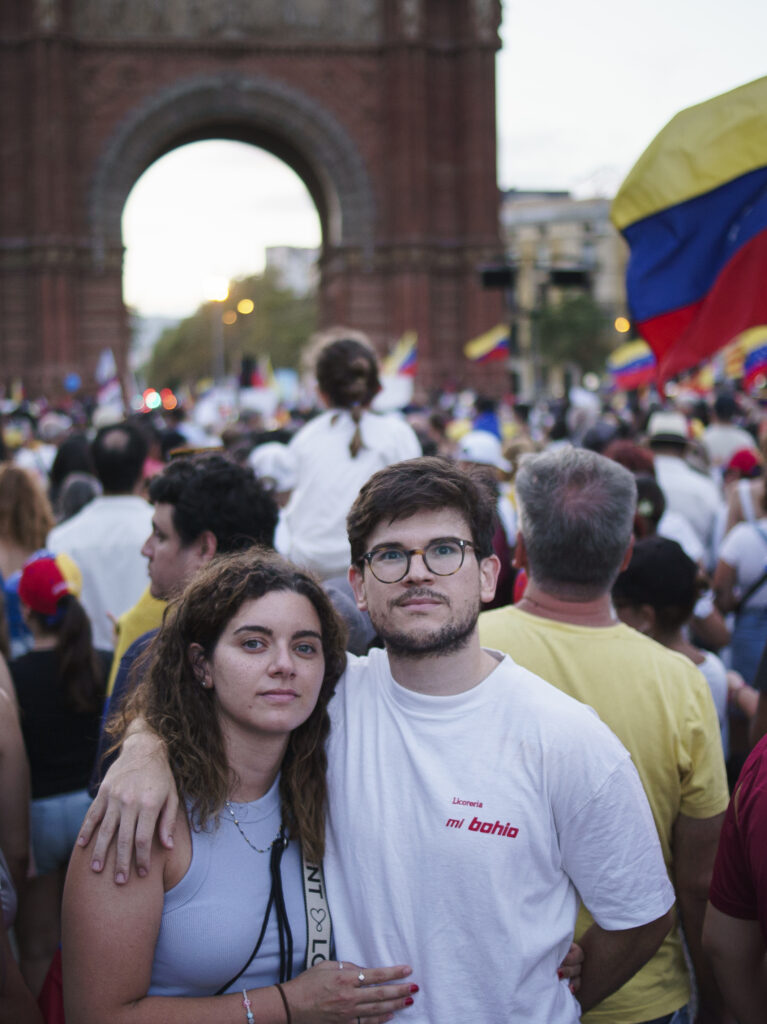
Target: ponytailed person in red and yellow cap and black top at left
{"type": "Point", "coordinates": [60, 686]}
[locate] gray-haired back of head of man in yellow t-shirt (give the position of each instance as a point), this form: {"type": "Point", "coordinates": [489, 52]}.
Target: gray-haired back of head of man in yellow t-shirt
{"type": "Point", "coordinates": [577, 518]}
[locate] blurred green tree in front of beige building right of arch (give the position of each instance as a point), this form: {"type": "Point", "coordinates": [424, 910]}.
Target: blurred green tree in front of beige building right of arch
{"type": "Point", "coordinates": [575, 331]}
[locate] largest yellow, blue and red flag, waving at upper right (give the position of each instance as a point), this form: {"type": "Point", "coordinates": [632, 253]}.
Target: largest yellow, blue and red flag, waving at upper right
{"type": "Point", "coordinates": [694, 211]}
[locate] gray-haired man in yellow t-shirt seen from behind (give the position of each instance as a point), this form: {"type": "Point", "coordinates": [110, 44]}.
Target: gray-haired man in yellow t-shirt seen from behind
{"type": "Point", "coordinates": [576, 536]}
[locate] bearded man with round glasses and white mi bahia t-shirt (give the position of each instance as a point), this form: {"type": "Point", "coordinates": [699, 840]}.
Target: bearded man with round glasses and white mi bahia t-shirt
{"type": "Point", "coordinates": [471, 803]}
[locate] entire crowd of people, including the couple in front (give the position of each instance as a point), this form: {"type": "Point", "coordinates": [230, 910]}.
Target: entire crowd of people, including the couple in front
{"type": "Point", "coordinates": [452, 712]}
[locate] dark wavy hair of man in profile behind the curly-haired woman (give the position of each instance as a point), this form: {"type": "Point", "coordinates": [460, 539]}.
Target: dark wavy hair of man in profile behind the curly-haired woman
{"type": "Point", "coordinates": [210, 492]}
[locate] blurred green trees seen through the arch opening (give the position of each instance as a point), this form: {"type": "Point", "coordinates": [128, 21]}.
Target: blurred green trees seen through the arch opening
{"type": "Point", "coordinates": [279, 327]}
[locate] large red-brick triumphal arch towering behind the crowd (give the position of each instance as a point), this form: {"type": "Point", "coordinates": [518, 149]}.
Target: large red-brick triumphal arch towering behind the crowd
{"type": "Point", "coordinates": [385, 108]}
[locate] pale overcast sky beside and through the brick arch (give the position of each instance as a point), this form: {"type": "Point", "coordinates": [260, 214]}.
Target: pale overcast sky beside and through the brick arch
{"type": "Point", "coordinates": [583, 88]}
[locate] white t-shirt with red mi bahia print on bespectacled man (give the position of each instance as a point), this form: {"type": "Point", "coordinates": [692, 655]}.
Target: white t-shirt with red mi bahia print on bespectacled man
{"type": "Point", "coordinates": [462, 831]}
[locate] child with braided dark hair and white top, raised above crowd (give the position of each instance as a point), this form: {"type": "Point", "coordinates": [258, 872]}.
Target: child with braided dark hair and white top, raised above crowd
{"type": "Point", "coordinates": [336, 453]}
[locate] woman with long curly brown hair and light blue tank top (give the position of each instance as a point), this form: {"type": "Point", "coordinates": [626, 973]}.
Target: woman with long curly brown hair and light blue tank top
{"type": "Point", "coordinates": [238, 686]}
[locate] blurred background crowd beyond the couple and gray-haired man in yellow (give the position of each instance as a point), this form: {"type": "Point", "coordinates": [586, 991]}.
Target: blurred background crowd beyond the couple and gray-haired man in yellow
{"type": "Point", "coordinates": [73, 527]}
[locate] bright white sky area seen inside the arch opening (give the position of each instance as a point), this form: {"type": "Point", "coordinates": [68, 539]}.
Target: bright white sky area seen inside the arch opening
{"type": "Point", "coordinates": [208, 210]}
